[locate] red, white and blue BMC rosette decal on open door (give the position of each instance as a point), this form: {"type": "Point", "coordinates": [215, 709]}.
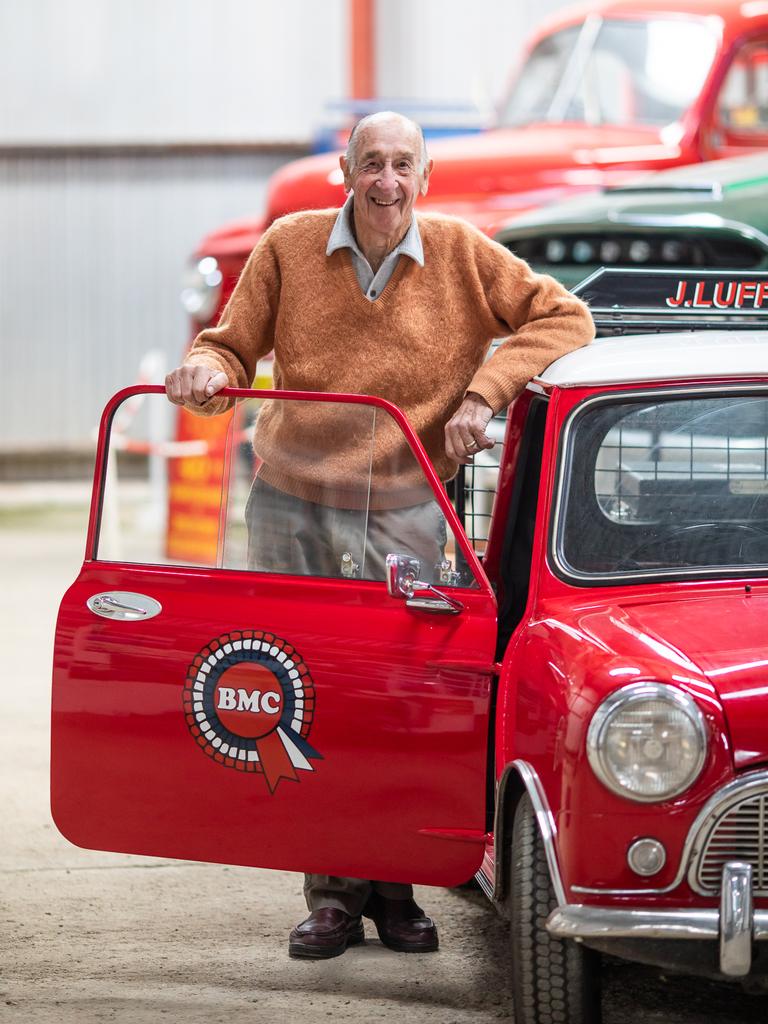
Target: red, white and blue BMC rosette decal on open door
{"type": "Point", "coordinates": [249, 702]}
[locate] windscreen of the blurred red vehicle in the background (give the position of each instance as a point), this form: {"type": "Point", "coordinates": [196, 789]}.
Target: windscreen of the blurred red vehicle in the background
{"type": "Point", "coordinates": [615, 73]}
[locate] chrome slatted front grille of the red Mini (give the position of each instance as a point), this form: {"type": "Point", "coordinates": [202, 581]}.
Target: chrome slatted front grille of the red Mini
{"type": "Point", "coordinates": [736, 832]}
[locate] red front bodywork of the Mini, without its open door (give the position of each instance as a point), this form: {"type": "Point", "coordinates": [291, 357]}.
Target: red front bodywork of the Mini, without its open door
{"type": "Point", "coordinates": [574, 647]}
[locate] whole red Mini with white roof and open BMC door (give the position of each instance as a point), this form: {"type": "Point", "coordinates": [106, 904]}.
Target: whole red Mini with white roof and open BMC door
{"type": "Point", "coordinates": [572, 705]}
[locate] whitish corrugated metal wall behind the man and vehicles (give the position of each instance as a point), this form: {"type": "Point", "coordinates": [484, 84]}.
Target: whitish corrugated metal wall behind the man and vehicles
{"type": "Point", "coordinates": [93, 246]}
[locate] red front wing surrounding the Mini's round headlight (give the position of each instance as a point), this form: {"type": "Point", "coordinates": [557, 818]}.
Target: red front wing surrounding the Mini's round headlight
{"type": "Point", "coordinates": [564, 654]}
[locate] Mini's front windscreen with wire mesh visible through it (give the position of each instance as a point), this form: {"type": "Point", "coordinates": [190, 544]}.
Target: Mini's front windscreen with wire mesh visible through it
{"type": "Point", "coordinates": [668, 485]}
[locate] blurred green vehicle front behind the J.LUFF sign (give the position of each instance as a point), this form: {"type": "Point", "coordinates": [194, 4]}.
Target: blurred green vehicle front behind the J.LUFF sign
{"type": "Point", "coordinates": [712, 216]}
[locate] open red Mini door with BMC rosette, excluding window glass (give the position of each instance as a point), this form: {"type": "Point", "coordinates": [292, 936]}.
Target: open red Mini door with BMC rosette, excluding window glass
{"type": "Point", "coordinates": [398, 699]}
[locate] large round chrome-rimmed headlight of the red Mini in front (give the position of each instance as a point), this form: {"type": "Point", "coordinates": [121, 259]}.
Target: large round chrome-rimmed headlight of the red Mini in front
{"type": "Point", "coordinates": [648, 742]}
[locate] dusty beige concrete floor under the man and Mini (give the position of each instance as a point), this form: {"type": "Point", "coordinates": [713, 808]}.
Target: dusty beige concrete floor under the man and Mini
{"type": "Point", "coordinates": [89, 936]}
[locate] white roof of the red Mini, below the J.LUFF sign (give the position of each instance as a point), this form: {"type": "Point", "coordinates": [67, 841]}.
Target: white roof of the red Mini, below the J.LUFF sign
{"type": "Point", "coordinates": [644, 358]}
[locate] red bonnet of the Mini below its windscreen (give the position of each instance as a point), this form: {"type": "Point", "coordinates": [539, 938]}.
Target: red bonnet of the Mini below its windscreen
{"type": "Point", "coordinates": [724, 637]}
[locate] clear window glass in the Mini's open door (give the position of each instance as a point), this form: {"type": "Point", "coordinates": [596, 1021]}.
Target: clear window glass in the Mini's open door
{"type": "Point", "coordinates": [301, 488]}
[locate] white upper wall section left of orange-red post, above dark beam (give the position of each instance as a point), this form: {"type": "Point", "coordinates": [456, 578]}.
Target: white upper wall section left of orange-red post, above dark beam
{"type": "Point", "coordinates": [168, 70]}
